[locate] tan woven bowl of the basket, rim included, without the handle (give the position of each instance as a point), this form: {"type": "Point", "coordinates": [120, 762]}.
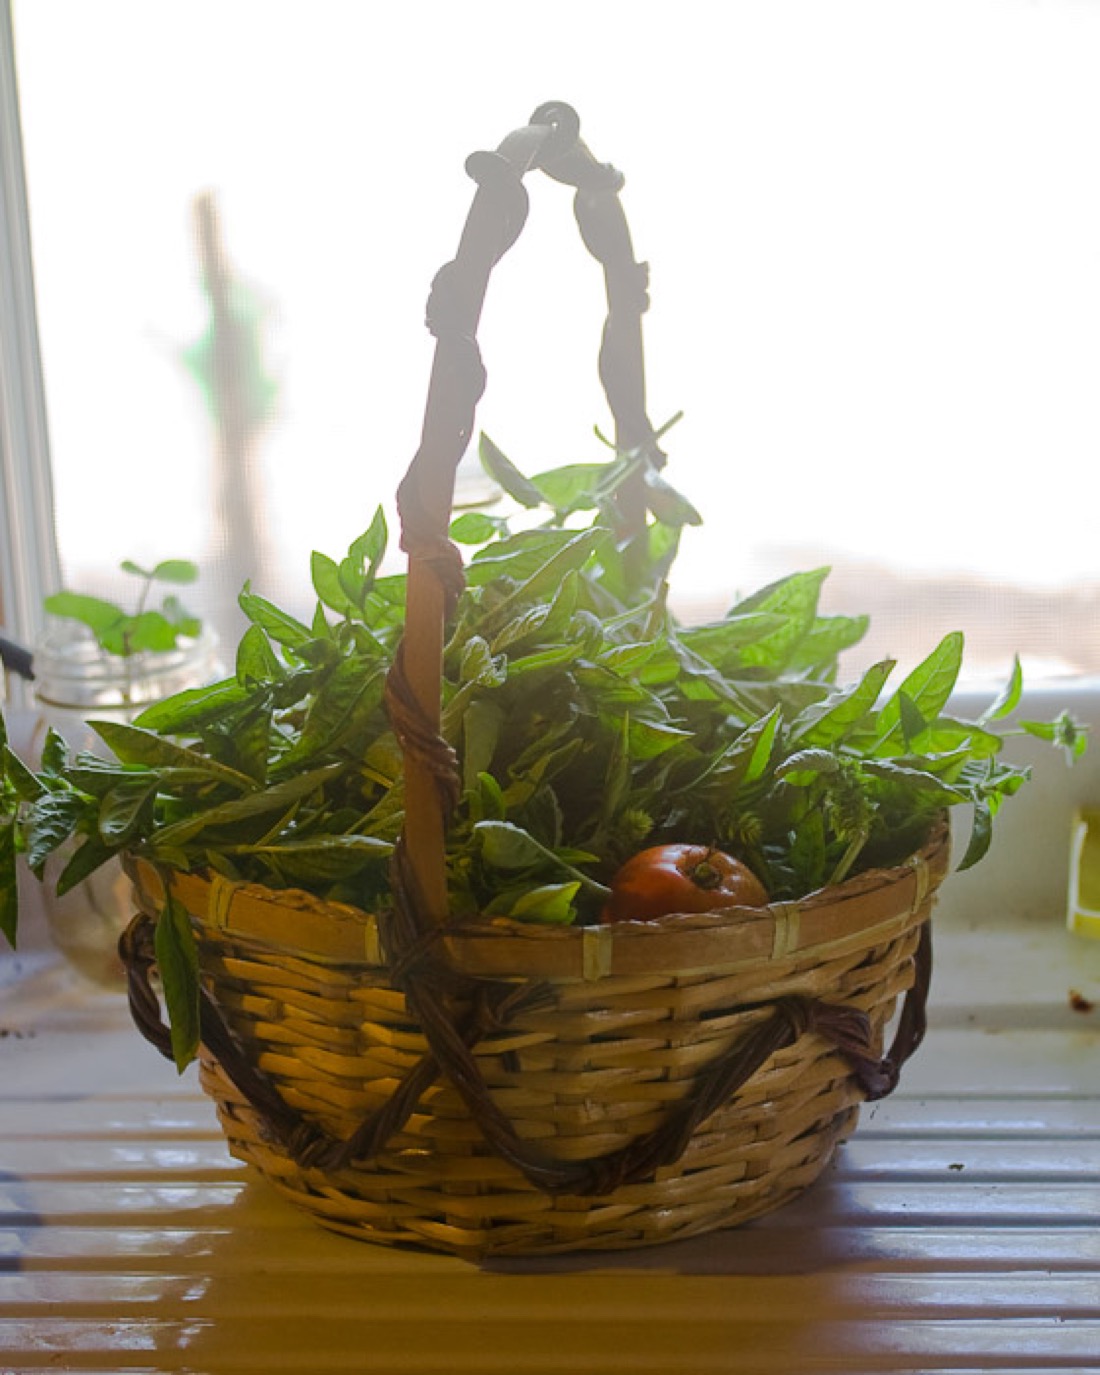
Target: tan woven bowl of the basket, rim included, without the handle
{"type": "Point", "coordinates": [629, 1025]}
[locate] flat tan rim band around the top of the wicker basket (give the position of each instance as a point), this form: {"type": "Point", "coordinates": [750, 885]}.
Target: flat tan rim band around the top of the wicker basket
{"type": "Point", "coordinates": [335, 933]}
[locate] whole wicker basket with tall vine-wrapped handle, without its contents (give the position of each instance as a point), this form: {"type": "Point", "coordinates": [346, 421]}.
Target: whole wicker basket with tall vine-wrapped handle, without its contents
{"type": "Point", "coordinates": [503, 1088]}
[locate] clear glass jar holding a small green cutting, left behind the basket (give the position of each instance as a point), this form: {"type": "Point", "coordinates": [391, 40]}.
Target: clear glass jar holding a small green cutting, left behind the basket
{"type": "Point", "coordinates": [76, 681]}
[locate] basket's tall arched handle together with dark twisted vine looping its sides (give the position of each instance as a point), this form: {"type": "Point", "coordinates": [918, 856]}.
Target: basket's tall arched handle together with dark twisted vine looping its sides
{"type": "Point", "coordinates": [552, 144]}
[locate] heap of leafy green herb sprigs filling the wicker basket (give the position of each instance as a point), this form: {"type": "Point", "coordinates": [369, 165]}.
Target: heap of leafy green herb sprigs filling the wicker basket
{"type": "Point", "coordinates": [586, 720]}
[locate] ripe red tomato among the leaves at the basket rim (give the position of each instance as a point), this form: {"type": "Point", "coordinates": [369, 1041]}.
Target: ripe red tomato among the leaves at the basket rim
{"type": "Point", "coordinates": [681, 878]}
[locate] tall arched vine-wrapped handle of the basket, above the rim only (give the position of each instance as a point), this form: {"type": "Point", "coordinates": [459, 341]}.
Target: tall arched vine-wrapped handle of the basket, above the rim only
{"type": "Point", "coordinates": [551, 142]}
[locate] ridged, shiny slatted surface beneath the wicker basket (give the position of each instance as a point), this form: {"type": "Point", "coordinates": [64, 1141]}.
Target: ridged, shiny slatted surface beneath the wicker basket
{"type": "Point", "coordinates": [959, 1231]}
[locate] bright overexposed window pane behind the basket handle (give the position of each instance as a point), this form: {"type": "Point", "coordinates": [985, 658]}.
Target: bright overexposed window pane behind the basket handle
{"type": "Point", "coordinates": [875, 247]}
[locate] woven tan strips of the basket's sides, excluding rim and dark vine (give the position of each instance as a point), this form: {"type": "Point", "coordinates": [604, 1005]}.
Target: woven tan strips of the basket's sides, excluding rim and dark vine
{"type": "Point", "coordinates": [582, 1079]}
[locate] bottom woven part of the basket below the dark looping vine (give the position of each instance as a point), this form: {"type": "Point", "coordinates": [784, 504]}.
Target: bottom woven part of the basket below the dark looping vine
{"type": "Point", "coordinates": [404, 1202]}
